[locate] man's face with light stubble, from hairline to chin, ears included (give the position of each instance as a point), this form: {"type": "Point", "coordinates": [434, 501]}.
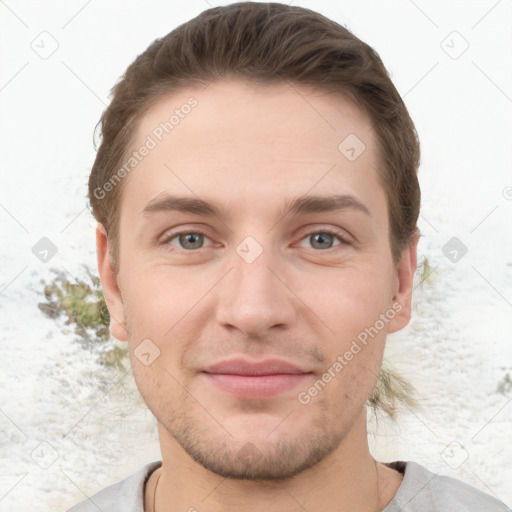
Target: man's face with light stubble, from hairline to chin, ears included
{"type": "Point", "coordinates": [256, 271]}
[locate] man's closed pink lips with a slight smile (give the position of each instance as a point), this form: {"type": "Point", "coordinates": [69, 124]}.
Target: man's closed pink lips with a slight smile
{"type": "Point", "coordinates": [255, 379]}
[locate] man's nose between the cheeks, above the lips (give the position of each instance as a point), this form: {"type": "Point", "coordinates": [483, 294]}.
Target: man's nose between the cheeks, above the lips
{"type": "Point", "coordinates": [255, 297]}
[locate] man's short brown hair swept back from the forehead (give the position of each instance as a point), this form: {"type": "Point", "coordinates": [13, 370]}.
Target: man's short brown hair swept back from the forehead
{"type": "Point", "coordinates": [263, 43]}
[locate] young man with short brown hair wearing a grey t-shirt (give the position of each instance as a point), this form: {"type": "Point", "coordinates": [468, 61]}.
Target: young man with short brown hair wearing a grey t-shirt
{"type": "Point", "coordinates": [257, 200]}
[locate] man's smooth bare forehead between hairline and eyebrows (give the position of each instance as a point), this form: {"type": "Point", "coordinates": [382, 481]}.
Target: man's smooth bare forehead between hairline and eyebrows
{"type": "Point", "coordinates": [252, 143]}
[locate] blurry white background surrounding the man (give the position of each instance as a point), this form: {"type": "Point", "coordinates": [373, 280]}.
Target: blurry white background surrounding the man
{"type": "Point", "coordinates": [59, 407]}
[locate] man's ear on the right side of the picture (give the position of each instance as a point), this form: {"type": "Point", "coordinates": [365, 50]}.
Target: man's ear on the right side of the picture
{"type": "Point", "coordinates": [402, 299]}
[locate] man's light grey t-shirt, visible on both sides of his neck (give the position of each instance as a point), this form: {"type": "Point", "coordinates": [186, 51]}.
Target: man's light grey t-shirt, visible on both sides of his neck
{"type": "Point", "coordinates": [420, 491]}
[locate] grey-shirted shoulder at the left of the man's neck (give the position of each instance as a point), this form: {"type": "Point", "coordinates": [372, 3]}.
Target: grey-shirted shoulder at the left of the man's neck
{"type": "Point", "coordinates": [124, 496]}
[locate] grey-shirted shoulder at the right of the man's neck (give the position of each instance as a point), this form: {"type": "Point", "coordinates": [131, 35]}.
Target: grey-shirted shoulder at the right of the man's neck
{"type": "Point", "coordinates": [424, 491]}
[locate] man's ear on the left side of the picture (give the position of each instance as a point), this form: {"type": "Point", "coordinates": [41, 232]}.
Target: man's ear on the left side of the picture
{"type": "Point", "coordinates": [111, 291]}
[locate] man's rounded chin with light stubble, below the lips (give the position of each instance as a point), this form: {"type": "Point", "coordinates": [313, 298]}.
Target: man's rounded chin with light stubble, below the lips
{"type": "Point", "coordinates": [256, 446]}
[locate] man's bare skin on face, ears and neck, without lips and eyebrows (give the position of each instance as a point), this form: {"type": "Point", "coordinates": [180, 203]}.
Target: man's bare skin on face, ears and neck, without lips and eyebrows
{"type": "Point", "coordinates": [250, 149]}
